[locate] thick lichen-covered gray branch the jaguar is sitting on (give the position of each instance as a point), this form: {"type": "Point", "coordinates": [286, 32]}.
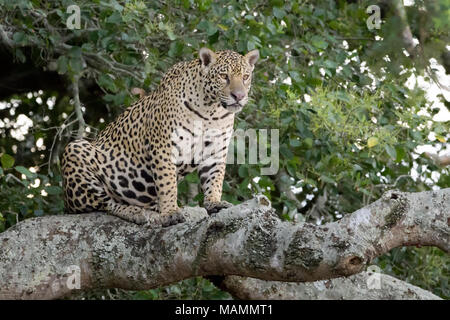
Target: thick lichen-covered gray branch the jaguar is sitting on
{"type": "Point", "coordinates": [49, 257]}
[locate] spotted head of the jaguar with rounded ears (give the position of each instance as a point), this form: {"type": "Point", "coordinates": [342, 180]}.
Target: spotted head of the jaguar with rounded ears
{"type": "Point", "coordinates": [227, 77]}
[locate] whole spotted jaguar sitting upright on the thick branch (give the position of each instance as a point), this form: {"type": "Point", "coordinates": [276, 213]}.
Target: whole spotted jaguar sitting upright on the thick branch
{"type": "Point", "coordinates": [132, 168]}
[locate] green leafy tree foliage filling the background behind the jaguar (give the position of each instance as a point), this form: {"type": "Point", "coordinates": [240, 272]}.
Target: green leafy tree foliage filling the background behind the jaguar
{"type": "Point", "coordinates": [349, 102]}
